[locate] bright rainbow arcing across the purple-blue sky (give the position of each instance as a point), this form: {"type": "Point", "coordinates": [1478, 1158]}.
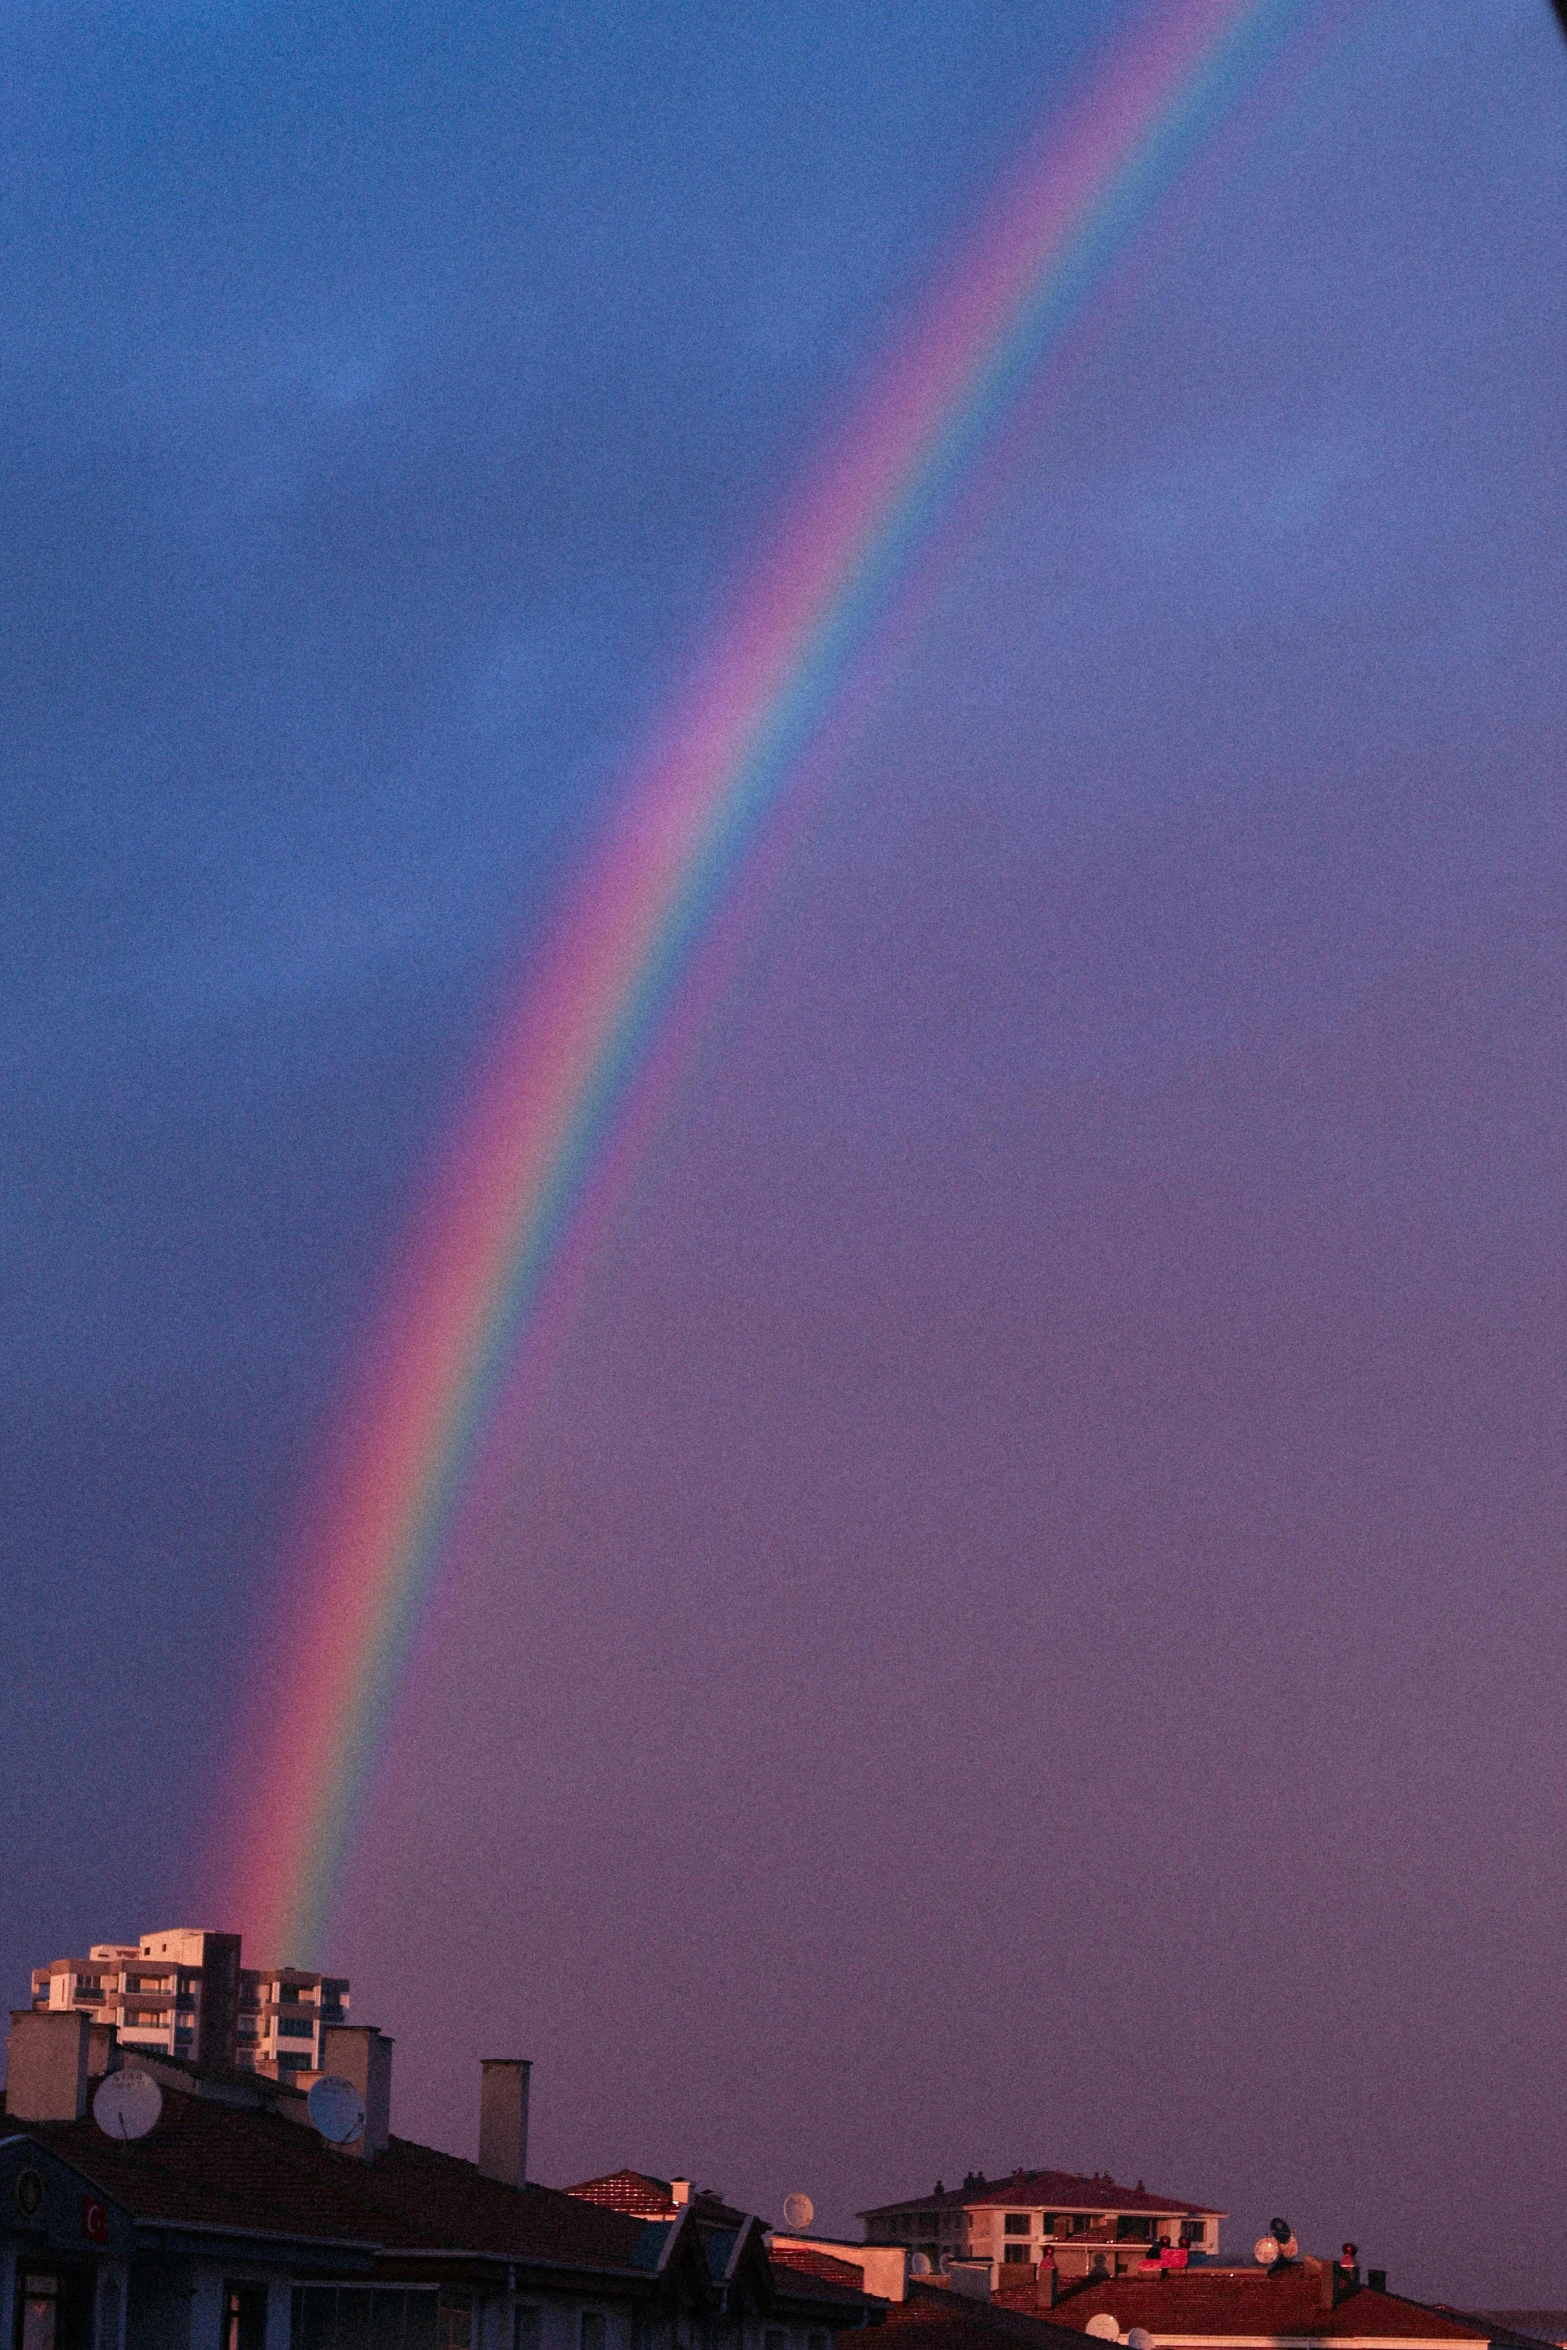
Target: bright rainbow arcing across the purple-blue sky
{"type": "Point", "coordinates": [574, 1075]}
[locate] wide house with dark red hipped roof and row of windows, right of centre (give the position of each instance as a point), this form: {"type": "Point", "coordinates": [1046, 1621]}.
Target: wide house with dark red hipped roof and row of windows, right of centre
{"type": "Point", "coordinates": [1080, 2227]}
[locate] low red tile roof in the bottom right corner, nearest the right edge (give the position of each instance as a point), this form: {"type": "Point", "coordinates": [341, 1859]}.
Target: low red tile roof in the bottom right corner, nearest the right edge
{"type": "Point", "coordinates": [1256, 2307]}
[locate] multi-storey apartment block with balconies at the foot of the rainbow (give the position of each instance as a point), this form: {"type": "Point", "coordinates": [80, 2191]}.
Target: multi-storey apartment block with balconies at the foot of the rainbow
{"type": "Point", "coordinates": [184, 1994]}
